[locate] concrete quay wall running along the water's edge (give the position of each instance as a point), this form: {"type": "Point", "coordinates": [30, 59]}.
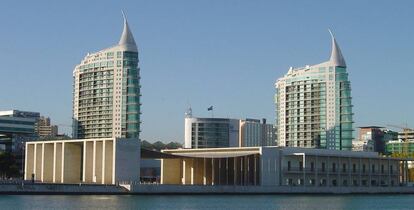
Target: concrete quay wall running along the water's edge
{"type": "Point", "coordinates": [155, 189]}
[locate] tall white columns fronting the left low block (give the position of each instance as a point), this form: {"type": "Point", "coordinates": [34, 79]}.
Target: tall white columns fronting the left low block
{"type": "Point", "coordinates": [86, 161]}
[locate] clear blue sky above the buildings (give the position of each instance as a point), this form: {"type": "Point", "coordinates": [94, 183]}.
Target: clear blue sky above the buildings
{"type": "Point", "coordinates": [222, 53]}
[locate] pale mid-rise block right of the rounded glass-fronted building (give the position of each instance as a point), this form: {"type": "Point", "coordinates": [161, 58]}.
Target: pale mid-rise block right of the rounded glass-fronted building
{"type": "Point", "coordinates": [254, 133]}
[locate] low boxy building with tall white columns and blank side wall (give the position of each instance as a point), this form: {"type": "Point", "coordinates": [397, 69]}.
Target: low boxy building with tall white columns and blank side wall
{"type": "Point", "coordinates": [100, 161]}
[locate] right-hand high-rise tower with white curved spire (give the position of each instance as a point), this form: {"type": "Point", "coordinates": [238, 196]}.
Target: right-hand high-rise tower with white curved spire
{"type": "Point", "coordinates": [313, 105]}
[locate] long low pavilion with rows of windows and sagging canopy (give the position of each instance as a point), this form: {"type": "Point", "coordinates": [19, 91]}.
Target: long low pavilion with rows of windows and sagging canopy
{"type": "Point", "coordinates": [282, 166]}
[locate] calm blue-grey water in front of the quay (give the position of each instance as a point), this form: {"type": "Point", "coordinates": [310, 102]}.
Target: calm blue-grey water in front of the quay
{"type": "Point", "coordinates": [291, 202]}
